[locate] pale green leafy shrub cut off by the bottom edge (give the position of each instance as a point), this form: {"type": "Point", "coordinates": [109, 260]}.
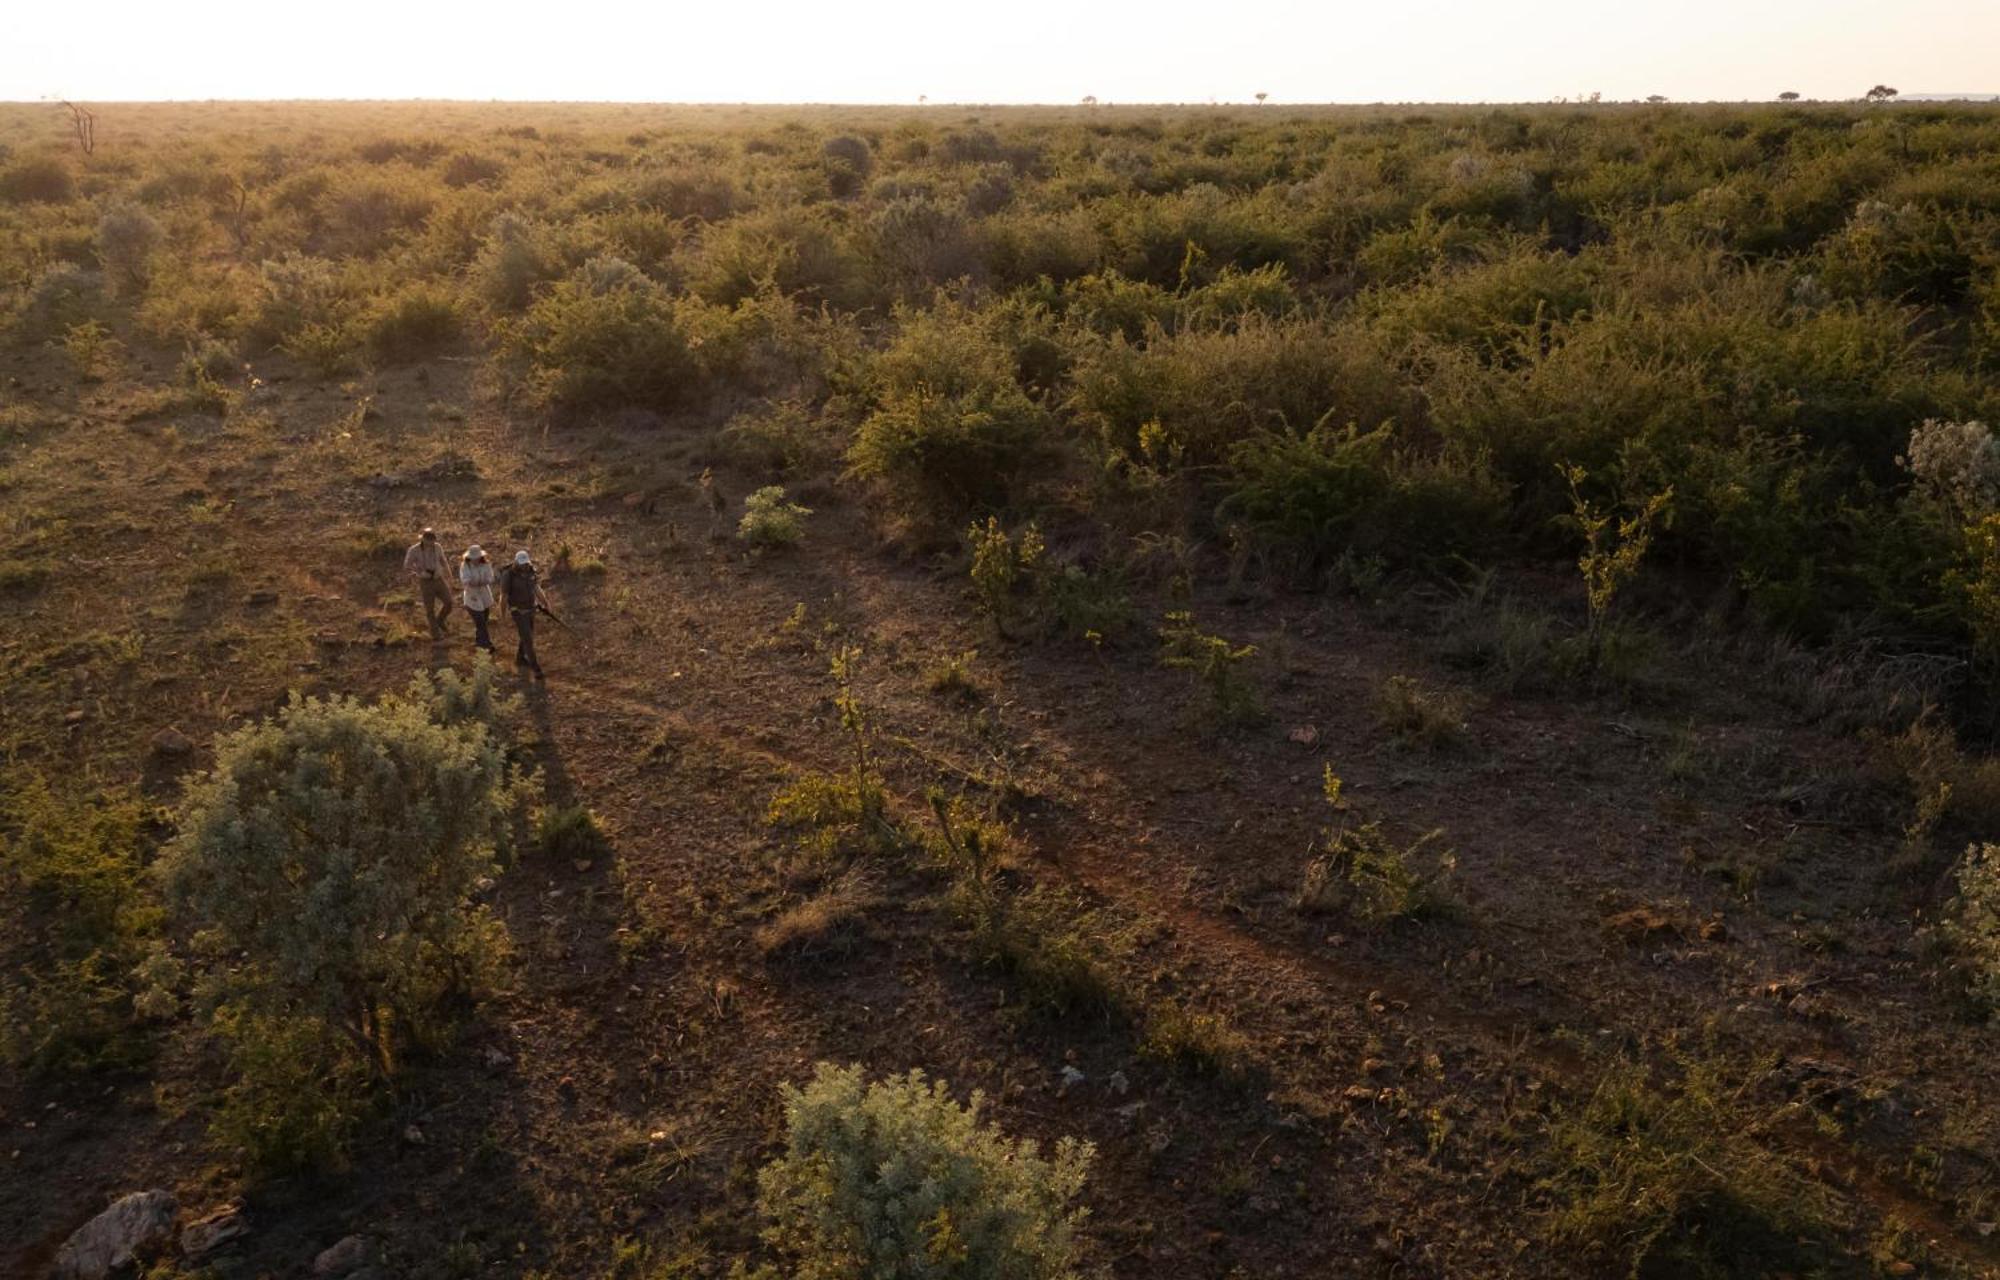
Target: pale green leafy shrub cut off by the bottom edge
{"type": "Point", "coordinates": [895, 1181]}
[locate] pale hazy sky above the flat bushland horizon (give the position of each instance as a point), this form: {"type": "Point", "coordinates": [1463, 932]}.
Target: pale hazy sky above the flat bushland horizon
{"type": "Point", "coordinates": [1011, 51]}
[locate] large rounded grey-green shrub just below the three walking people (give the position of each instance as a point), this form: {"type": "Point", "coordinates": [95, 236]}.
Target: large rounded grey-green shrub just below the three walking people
{"type": "Point", "coordinates": [335, 855]}
